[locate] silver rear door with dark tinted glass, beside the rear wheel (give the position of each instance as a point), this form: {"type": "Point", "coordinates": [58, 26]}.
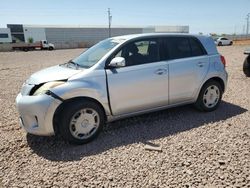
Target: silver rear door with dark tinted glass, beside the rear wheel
{"type": "Point", "coordinates": [188, 65]}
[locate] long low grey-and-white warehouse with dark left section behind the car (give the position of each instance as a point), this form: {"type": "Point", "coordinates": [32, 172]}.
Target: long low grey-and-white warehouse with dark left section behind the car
{"type": "Point", "coordinates": [80, 36]}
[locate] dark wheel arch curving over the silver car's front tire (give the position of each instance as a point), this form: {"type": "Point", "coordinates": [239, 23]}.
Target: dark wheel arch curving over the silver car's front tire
{"type": "Point", "coordinates": [65, 102]}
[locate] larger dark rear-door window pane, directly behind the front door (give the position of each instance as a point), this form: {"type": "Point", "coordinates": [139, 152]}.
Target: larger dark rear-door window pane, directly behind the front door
{"type": "Point", "coordinates": [178, 47]}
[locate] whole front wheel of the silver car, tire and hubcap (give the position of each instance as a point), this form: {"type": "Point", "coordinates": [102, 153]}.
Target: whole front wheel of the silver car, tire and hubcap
{"type": "Point", "coordinates": [85, 129]}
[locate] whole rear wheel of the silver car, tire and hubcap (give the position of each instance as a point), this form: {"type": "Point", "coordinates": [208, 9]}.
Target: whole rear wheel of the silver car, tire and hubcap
{"type": "Point", "coordinates": [209, 97]}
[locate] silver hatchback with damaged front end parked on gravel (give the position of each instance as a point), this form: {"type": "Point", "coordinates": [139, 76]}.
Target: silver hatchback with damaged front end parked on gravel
{"type": "Point", "coordinates": [121, 77]}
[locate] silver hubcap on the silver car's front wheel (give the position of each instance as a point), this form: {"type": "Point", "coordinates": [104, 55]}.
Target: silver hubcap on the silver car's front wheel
{"type": "Point", "coordinates": [84, 123]}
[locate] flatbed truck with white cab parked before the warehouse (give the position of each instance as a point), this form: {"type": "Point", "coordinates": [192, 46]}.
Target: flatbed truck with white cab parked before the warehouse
{"type": "Point", "coordinates": [43, 44]}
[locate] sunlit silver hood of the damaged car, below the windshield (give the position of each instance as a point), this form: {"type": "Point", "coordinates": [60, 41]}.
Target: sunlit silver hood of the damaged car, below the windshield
{"type": "Point", "coordinates": [52, 74]}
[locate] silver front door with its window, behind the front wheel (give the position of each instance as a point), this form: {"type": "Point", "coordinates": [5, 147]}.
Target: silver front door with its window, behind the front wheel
{"type": "Point", "coordinates": [143, 83]}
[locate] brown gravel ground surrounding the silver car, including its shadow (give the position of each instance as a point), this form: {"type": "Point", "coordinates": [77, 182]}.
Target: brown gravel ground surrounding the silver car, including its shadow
{"type": "Point", "coordinates": [198, 149]}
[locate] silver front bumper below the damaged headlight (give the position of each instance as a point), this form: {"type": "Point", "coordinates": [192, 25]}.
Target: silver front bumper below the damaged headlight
{"type": "Point", "coordinates": [36, 113]}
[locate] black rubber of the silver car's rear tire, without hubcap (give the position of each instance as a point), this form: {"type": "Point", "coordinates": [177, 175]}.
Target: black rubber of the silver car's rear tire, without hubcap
{"type": "Point", "coordinates": [200, 104]}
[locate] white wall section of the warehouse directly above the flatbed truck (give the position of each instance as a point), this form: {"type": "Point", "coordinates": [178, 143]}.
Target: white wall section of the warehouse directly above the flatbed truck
{"type": "Point", "coordinates": [36, 33]}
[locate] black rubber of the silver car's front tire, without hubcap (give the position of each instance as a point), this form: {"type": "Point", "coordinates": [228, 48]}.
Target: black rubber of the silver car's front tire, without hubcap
{"type": "Point", "coordinates": [69, 110]}
